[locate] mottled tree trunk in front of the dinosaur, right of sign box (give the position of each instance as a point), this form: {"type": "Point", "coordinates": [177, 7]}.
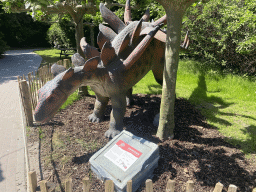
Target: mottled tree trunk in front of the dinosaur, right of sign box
{"type": "Point", "coordinates": [166, 120]}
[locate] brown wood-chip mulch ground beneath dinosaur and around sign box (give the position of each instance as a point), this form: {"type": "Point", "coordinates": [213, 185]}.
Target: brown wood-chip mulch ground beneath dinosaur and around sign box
{"type": "Point", "coordinates": [198, 151]}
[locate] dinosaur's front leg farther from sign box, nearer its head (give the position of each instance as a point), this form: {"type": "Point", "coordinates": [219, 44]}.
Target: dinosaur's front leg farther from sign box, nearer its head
{"type": "Point", "coordinates": [99, 109]}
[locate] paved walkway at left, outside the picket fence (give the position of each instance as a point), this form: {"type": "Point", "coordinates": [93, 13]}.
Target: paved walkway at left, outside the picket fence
{"type": "Point", "coordinates": [12, 150]}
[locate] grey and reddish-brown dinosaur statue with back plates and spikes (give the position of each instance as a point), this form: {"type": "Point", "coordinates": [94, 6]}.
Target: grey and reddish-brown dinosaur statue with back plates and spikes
{"type": "Point", "coordinates": [128, 53]}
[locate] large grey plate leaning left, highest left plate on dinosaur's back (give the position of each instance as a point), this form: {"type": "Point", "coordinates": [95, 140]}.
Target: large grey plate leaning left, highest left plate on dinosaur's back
{"type": "Point", "coordinates": [111, 19]}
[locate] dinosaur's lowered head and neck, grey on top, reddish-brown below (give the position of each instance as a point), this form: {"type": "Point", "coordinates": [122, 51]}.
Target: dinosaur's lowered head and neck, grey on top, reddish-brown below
{"type": "Point", "coordinates": [55, 92]}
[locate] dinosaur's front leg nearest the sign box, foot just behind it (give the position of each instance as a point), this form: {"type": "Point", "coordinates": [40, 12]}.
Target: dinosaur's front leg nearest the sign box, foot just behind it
{"type": "Point", "coordinates": [116, 117]}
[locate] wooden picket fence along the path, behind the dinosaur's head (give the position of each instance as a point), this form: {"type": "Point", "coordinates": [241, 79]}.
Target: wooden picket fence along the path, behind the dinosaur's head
{"type": "Point", "coordinates": [29, 88]}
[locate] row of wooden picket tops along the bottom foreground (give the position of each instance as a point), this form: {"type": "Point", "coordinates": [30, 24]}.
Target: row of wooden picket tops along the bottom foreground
{"type": "Point", "coordinates": [109, 185]}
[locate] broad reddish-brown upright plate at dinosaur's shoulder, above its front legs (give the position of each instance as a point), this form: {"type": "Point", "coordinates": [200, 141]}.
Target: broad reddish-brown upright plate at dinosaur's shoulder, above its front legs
{"type": "Point", "coordinates": [107, 53]}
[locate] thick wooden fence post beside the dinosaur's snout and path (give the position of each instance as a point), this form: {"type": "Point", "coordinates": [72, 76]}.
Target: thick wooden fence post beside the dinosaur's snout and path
{"type": "Point", "coordinates": [26, 102]}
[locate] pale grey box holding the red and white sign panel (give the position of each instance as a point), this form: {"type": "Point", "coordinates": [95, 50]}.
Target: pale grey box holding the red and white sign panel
{"type": "Point", "coordinates": [138, 172]}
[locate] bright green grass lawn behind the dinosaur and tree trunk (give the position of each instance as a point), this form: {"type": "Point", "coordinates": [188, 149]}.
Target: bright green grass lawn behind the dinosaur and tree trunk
{"type": "Point", "coordinates": [227, 101]}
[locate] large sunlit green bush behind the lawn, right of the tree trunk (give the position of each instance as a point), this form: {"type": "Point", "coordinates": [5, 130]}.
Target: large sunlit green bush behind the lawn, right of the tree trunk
{"type": "Point", "coordinates": [223, 33]}
